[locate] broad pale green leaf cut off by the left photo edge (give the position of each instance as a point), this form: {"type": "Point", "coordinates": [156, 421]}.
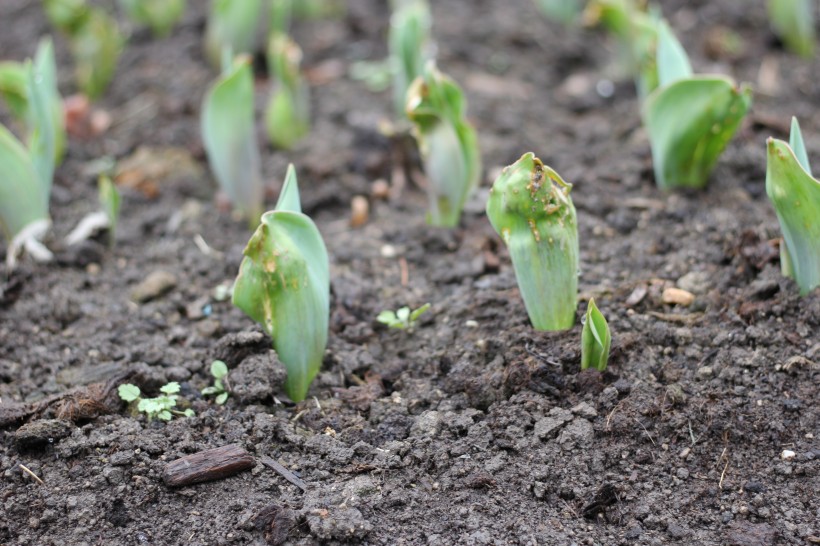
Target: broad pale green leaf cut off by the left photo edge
{"type": "Point", "coordinates": [22, 201]}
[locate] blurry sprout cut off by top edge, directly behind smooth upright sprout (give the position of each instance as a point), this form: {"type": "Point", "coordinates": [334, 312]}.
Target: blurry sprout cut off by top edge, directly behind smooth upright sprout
{"type": "Point", "coordinates": [231, 25]}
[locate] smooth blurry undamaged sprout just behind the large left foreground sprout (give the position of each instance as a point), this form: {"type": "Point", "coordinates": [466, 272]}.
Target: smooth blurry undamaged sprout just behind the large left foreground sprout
{"type": "Point", "coordinates": [230, 139]}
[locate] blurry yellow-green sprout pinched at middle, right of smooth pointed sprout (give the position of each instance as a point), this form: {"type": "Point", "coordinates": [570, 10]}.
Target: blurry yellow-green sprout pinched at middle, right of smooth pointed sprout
{"type": "Point", "coordinates": [287, 116]}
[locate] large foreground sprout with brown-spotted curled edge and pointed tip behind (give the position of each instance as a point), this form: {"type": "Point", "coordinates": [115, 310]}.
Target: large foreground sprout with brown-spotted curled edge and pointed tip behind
{"type": "Point", "coordinates": [284, 284]}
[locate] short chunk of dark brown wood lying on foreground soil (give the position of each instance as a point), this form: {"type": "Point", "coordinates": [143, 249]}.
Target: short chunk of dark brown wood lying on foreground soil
{"type": "Point", "coordinates": [208, 465]}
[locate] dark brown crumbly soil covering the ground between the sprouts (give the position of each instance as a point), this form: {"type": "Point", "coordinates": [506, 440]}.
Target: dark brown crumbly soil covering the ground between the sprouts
{"type": "Point", "coordinates": [473, 429]}
